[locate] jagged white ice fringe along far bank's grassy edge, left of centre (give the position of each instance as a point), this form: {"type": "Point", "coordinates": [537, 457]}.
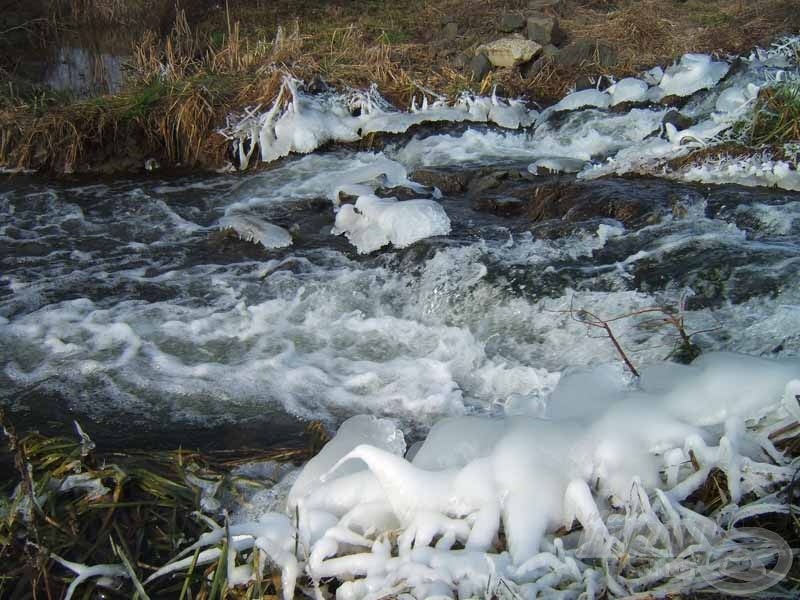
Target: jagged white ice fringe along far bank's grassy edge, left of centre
{"type": "Point", "coordinates": [301, 123]}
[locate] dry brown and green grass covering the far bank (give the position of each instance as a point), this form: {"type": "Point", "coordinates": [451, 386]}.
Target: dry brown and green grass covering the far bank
{"type": "Point", "coordinates": [191, 67]}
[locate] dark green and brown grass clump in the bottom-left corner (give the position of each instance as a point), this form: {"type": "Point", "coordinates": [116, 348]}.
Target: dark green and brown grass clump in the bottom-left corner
{"type": "Point", "coordinates": [67, 506]}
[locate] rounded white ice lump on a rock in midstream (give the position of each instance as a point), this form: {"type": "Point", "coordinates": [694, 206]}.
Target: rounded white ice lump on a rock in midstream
{"type": "Point", "coordinates": [375, 222]}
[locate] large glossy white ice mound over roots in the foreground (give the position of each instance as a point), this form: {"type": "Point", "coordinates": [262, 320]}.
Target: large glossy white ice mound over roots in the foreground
{"type": "Point", "coordinates": [618, 460]}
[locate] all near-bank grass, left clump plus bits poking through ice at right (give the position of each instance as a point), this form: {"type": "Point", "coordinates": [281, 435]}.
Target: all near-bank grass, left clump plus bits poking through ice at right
{"type": "Point", "coordinates": [78, 522]}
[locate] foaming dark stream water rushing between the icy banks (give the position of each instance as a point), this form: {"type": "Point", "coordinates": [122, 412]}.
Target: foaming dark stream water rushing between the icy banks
{"type": "Point", "coordinates": [122, 305]}
